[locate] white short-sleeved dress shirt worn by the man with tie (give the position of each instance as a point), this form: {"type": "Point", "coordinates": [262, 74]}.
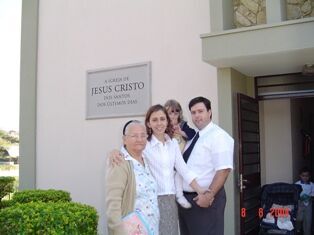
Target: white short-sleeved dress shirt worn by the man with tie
{"type": "Point", "coordinates": [213, 151]}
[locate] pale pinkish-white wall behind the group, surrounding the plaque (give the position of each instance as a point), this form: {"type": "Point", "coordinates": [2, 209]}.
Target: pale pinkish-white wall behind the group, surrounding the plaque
{"type": "Point", "coordinates": [70, 150]}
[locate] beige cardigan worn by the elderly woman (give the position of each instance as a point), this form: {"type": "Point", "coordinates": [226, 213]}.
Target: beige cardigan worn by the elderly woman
{"type": "Point", "coordinates": [120, 195]}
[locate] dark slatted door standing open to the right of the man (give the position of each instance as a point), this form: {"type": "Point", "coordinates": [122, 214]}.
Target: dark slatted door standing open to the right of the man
{"type": "Point", "coordinates": [249, 164]}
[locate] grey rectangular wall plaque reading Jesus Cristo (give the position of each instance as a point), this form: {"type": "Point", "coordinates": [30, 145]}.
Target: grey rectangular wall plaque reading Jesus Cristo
{"type": "Point", "coordinates": [119, 91]}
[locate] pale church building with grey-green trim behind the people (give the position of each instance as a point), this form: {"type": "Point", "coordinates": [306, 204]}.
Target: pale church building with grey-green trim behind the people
{"type": "Point", "coordinates": [212, 48]}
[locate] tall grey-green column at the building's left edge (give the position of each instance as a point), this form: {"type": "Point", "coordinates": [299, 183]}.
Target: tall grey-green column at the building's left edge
{"type": "Point", "coordinates": [28, 75]}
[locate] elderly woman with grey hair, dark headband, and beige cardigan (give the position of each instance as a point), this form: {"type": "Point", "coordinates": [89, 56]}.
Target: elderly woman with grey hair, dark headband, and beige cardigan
{"type": "Point", "coordinates": [130, 187]}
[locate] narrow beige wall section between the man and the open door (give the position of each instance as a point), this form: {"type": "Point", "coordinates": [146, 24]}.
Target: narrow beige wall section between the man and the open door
{"type": "Point", "coordinates": [231, 82]}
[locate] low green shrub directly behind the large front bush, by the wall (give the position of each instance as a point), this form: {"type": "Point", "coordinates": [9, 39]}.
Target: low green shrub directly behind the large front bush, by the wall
{"type": "Point", "coordinates": [41, 195]}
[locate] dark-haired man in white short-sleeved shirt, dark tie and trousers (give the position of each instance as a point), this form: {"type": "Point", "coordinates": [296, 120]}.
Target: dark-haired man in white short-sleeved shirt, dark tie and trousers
{"type": "Point", "coordinates": [211, 159]}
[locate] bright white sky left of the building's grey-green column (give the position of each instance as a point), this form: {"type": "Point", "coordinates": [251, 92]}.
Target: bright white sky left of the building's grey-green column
{"type": "Point", "coordinates": [10, 34]}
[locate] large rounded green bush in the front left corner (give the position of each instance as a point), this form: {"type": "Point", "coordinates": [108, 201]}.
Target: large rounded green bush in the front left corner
{"type": "Point", "coordinates": [49, 218]}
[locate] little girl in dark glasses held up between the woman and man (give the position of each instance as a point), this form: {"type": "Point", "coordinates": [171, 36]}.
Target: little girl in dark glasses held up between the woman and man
{"type": "Point", "coordinates": [182, 133]}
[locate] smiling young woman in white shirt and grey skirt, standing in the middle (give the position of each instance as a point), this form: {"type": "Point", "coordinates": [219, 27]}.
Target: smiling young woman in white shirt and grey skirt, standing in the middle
{"type": "Point", "coordinates": [164, 158]}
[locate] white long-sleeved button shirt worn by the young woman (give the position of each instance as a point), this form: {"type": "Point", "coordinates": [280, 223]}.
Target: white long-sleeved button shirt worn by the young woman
{"type": "Point", "coordinates": [163, 159]}
